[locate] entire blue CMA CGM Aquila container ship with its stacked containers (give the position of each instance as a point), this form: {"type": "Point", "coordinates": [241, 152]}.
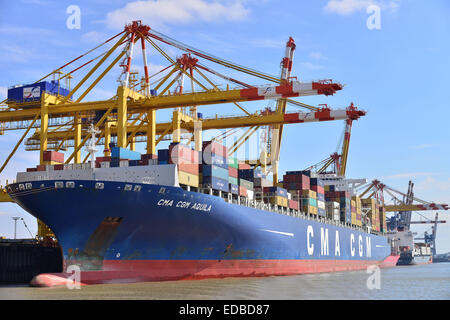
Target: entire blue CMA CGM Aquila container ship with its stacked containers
{"type": "Point", "coordinates": [188, 214]}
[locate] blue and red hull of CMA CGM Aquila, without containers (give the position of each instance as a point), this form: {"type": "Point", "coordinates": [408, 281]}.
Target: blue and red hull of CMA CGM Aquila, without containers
{"type": "Point", "coordinates": [154, 232]}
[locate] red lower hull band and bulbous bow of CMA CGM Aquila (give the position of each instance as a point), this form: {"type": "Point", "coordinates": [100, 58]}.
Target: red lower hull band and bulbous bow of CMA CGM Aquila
{"type": "Point", "coordinates": [163, 270]}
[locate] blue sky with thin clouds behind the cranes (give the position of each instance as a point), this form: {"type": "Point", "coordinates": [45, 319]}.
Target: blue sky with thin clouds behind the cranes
{"type": "Point", "coordinates": [395, 67]}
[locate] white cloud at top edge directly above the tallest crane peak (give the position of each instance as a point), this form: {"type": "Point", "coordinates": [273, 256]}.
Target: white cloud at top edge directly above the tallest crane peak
{"type": "Point", "coordinates": [165, 12]}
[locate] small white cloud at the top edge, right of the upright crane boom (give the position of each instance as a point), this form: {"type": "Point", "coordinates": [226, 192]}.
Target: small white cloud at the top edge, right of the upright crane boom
{"type": "Point", "coordinates": [348, 7]}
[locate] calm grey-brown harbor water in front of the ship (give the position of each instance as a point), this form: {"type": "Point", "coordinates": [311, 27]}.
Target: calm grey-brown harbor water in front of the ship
{"type": "Point", "coordinates": [416, 282]}
